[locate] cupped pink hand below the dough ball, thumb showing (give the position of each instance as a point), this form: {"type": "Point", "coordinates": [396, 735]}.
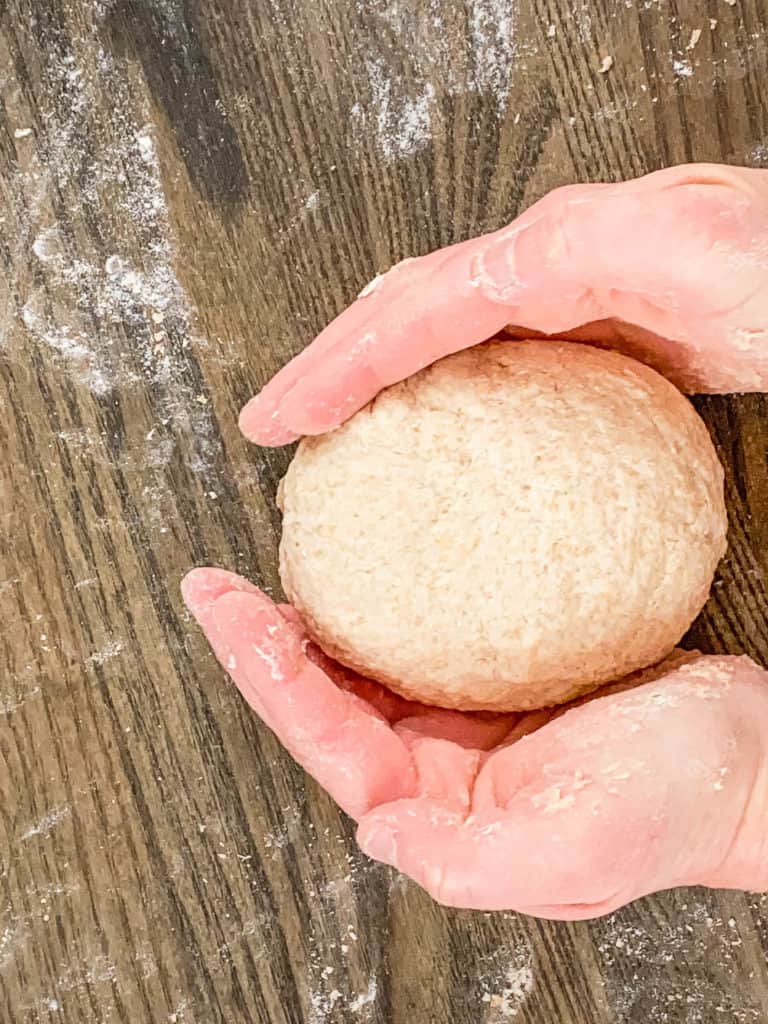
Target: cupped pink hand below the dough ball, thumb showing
{"type": "Point", "coordinates": [561, 815]}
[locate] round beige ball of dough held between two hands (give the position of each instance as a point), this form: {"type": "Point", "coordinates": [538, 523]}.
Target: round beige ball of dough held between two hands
{"type": "Point", "coordinates": [510, 528]}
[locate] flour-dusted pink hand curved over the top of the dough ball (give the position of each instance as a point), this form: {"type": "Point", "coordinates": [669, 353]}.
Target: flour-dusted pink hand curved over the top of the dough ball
{"type": "Point", "coordinates": [671, 269]}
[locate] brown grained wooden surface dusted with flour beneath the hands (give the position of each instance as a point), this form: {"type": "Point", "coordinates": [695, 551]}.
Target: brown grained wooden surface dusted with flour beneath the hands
{"type": "Point", "coordinates": [190, 191]}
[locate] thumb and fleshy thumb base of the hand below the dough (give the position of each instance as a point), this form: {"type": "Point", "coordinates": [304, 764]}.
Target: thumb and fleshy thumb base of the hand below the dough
{"type": "Point", "coordinates": [661, 786]}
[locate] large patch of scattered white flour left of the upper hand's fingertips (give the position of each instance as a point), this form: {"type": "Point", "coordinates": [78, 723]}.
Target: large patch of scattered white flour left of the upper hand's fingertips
{"type": "Point", "coordinates": [112, 324]}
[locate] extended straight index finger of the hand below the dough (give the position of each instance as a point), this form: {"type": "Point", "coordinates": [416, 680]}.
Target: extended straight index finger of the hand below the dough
{"type": "Point", "coordinates": [343, 743]}
